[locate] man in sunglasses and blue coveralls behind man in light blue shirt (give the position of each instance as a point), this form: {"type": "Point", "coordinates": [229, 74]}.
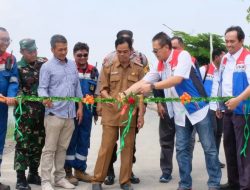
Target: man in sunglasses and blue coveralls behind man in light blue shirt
{"type": "Point", "coordinates": [78, 149]}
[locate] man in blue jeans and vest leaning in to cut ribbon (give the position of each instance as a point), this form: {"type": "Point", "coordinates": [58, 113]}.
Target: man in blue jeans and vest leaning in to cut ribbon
{"type": "Point", "coordinates": [177, 74]}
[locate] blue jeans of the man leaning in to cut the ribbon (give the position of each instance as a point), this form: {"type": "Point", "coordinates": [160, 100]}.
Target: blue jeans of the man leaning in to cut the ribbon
{"type": "Point", "coordinates": [184, 154]}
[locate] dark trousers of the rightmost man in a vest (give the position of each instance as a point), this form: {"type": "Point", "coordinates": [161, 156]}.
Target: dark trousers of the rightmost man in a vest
{"type": "Point", "coordinates": [238, 166]}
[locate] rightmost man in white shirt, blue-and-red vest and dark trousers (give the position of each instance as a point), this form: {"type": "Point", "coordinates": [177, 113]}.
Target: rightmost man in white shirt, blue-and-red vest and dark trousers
{"type": "Point", "coordinates": [234, 79]}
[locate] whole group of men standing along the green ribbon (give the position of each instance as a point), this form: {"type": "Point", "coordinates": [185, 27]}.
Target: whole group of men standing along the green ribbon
{"type": "Point", "coordinates": [57, 134]}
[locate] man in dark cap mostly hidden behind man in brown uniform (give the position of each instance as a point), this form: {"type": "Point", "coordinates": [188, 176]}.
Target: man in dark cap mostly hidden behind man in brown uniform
{"type": "Point", "coordinates": [141, 59]}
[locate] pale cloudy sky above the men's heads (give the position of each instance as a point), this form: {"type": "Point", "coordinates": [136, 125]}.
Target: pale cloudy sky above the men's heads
{"type": "Point", "coordinates": [96, 22]}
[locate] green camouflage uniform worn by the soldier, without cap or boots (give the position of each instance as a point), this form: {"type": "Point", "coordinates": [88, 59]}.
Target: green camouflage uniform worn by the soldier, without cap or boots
{"type": "Point", "coordinates": [30, 135]}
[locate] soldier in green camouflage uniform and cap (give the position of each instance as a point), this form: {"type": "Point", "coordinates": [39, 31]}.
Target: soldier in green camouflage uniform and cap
{"type": "Point", "coordinates": [30, 135]}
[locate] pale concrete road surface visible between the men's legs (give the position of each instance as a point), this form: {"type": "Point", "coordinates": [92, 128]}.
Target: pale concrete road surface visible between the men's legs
{"type": "Point", "coordinates": [147, 165]}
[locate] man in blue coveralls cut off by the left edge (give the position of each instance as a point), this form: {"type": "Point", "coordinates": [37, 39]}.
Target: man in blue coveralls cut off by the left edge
{"type": "Point", "coordinates": [8, 87]}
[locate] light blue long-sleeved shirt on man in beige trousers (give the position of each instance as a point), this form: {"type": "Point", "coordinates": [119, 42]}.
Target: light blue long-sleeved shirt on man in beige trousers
{"type": "Point", "coordinates": [58, 78]}
